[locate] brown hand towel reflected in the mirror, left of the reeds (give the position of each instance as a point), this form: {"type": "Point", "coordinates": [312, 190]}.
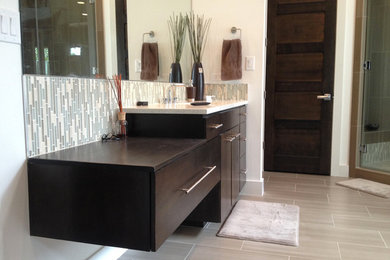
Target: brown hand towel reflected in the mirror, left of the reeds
{"type": "Point", "coordinates": [149, 61]}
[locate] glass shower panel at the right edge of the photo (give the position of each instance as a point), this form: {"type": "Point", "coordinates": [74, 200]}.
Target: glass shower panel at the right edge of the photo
{"type": "Point", "coordinates": [375, 138]}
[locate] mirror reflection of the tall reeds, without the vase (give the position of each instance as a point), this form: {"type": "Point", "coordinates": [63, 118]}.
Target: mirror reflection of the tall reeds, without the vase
{"type": "Point", "coordinates": [177, 29]}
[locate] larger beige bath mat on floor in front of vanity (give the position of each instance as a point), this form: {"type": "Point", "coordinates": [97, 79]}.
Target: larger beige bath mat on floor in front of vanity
{"type": "Point", "coordinates": [264, 222]}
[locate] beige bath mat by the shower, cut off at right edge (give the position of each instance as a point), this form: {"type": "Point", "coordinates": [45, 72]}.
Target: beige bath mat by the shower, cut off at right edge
{"type": "Point", "coordinates": [371, 187]}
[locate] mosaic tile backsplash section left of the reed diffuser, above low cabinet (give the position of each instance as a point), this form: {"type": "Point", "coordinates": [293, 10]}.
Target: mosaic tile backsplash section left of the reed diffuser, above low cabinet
{"type": "Point", "coordinates": [64, 112]}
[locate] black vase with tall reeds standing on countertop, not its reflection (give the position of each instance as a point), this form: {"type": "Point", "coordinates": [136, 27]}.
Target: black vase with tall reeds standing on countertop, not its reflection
{"type": "Point", "coordinates": [198, 28]}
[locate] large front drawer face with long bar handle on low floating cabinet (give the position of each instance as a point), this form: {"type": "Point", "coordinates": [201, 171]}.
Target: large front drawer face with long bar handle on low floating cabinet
{"type": "Point", "coordinates": [182, 185]}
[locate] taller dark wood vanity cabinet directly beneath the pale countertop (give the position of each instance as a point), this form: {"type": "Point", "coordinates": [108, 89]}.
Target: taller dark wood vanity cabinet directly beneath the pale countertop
{"type": "Point", "coordinates": [229, 126]}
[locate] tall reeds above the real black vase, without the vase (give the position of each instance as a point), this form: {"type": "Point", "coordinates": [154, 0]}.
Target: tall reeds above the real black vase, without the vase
{"type": "Point", "coordinates": [198, 28]}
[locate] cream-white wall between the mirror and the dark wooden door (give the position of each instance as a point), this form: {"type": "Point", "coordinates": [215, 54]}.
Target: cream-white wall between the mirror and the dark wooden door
{"type": "Point", "coordinates": [250, 16]}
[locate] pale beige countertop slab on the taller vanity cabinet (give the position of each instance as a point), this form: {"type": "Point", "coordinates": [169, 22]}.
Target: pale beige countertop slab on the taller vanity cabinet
{"type": "Point", "coordinates": [185, 108]}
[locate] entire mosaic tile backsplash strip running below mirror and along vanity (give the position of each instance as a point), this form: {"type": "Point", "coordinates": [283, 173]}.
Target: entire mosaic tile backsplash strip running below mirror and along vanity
{"type": "Point", "coordinates": [62, 112]}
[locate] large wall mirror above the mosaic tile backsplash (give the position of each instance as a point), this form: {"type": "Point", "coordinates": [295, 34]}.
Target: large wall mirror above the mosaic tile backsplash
{"type": "Point", "coordinates": [65, 38]}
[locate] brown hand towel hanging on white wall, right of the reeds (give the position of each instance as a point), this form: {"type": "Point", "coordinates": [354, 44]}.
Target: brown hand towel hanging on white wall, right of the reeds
{"type": "Point", "coordinates": [231, 66]}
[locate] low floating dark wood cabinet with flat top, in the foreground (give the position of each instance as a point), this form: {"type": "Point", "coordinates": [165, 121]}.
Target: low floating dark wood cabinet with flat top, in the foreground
{"type": "Point", "coordinates": [130, 194]}
